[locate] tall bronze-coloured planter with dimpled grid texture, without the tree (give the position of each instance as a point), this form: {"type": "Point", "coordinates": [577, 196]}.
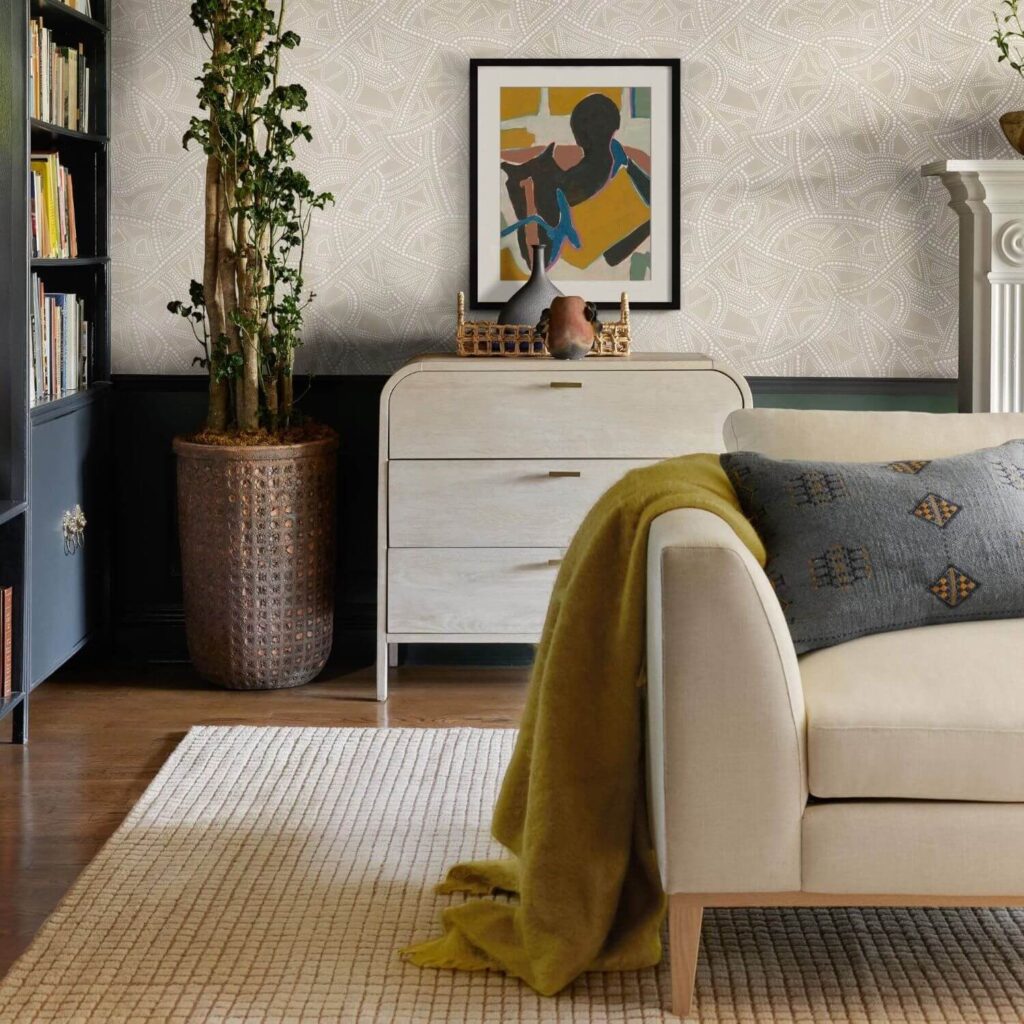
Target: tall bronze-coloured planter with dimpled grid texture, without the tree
{"type": "Point", "coordinates": [258, 558]}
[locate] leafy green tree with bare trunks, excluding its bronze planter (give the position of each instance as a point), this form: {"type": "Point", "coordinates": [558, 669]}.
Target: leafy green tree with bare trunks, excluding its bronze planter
{"type": "Point", "coordinates": [247, 312]}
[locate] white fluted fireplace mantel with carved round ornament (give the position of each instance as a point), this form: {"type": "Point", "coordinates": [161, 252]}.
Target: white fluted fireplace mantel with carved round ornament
{"type": "Point", "coordinates": [989, 198]}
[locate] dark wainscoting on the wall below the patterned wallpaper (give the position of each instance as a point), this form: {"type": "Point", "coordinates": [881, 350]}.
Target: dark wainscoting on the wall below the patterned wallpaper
{"type": "Point", "coordinates": [150, 411]}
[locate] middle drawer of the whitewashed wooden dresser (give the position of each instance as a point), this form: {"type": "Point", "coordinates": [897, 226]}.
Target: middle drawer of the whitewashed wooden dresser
{"type": "Point", "coordinates": [495, 502]}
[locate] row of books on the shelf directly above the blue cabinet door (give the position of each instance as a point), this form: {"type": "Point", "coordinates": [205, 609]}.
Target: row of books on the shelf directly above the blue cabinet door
{"type": "Point", "coordinates": [60, 343]}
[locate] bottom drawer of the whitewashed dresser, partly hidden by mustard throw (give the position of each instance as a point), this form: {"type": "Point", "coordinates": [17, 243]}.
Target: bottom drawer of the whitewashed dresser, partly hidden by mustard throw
{"type": "Point", "coordinates": [471, 590]}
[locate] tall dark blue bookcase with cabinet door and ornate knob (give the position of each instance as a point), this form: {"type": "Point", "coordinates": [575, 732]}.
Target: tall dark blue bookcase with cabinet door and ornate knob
{"type": "Point", "coordinates": [53, 453]}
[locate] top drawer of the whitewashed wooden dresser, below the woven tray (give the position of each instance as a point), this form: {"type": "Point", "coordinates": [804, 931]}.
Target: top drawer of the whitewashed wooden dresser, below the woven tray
{"type": "Point", "coordinates": [562, 412]}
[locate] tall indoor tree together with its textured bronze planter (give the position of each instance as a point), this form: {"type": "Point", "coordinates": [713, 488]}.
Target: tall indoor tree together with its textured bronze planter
{"type": "Point", "coordinates": [257, 485]}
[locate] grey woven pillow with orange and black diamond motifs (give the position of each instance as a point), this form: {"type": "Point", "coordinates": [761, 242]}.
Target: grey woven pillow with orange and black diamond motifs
{"type": "Point", "coordinates": [858, 548]}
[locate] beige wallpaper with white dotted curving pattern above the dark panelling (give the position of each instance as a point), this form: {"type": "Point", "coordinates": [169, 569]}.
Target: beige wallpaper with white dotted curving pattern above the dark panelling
{"type": "Point", "coordinates": [812, 246]}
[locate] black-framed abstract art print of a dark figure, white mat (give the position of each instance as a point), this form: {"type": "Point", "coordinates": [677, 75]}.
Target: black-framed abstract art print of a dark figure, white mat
{"type": "Point", "coordinates": [582, 156]}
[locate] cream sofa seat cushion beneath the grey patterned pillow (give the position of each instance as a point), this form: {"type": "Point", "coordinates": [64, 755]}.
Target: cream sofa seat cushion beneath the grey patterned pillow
{"type": "Point", "coordinates": [933, 713]}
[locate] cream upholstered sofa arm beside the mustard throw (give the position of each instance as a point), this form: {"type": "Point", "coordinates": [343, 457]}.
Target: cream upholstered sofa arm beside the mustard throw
{"type": "Point", "coordinates": [728, 780]}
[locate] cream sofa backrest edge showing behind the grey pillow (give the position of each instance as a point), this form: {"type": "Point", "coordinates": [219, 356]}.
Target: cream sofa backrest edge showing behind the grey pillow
{"type": "Point", "coordinates": [786, 434]}
